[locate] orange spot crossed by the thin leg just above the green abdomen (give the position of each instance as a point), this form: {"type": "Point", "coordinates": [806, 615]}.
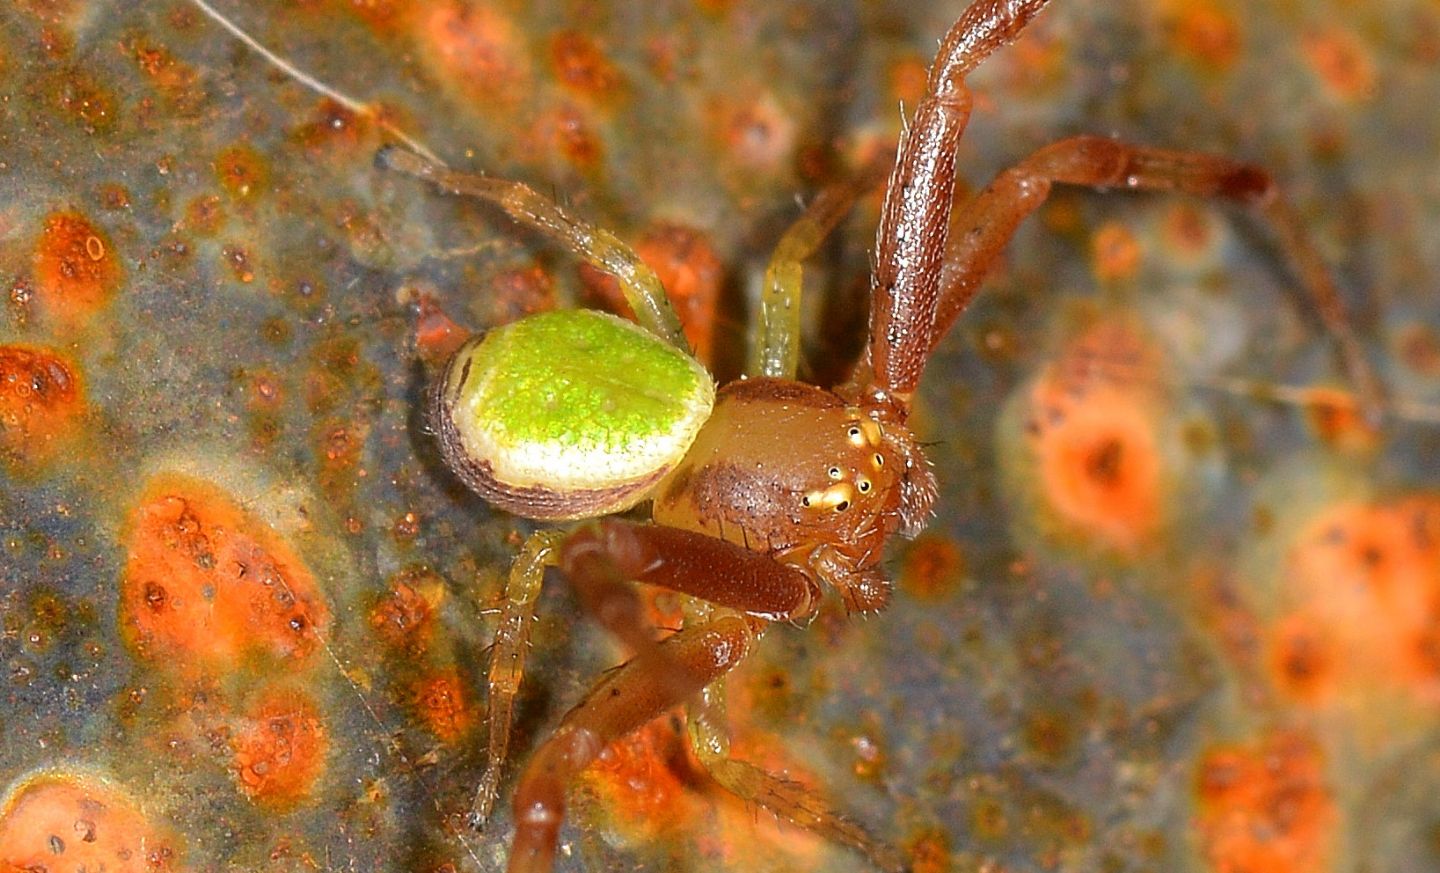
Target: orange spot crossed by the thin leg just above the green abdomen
{"type": "Point", "coordinates": [692, 273]}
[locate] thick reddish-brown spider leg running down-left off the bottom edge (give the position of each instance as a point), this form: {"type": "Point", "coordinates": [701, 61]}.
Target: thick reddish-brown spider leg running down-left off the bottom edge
{"type": "Point", "coordinates": [623, 702]}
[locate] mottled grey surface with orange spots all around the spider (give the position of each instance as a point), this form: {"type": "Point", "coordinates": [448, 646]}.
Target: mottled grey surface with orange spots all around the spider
{"type": "Point", "coordinates": [1180, 607]}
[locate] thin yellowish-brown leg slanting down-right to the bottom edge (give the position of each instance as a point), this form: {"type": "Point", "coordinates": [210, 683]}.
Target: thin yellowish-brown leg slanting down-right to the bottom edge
{"type": "Point", "coordinates": [711, 740]}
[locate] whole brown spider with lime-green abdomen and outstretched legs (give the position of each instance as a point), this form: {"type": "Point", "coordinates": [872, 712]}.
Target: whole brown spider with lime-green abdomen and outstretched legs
{"type": "Point", "coordinates": [771, 491]}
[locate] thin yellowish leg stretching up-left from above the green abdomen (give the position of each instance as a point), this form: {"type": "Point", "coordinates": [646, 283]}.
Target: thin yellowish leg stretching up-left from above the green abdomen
{"type": "Point", "coordinates": [597, 246]}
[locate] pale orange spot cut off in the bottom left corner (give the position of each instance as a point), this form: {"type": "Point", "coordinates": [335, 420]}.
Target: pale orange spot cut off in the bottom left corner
{"type": "Point", "coordinates": [71, 825]}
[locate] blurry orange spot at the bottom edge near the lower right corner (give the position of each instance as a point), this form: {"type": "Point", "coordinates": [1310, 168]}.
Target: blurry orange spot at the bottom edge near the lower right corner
{"type": "Point", "coordinates": [1266, 809]}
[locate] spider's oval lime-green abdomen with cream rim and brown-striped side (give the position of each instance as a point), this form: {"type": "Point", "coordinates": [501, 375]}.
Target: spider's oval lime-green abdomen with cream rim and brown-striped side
{"type": "Point", "coordinates": [571, 414]}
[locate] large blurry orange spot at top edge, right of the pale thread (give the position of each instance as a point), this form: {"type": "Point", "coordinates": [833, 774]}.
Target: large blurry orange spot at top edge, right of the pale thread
{"type": "Point", "coordinates": [477, 51]}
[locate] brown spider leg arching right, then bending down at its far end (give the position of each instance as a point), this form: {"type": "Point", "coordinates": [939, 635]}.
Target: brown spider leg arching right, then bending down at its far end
{"type": "Point", "coordinates": [989, 221]}
